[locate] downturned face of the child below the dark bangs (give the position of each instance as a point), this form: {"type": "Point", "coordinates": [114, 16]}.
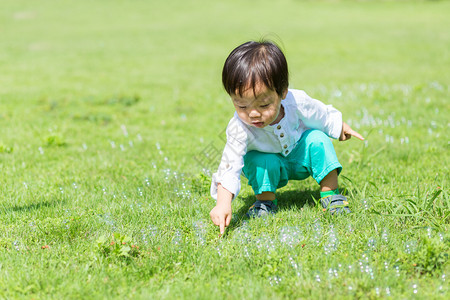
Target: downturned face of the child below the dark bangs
{"type": "Point", "coordinates": [259, 109]}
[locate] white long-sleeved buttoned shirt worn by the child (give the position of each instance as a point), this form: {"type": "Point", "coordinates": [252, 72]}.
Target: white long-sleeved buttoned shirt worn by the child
{"type": "Point", "coordinates": [301, 113]}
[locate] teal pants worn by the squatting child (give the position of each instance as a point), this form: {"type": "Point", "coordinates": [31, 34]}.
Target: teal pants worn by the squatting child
{"type": "Point", "coordinates": [313, 156]}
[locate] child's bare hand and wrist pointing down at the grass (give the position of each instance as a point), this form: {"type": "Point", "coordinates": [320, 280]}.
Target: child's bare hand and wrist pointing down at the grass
{"type": "Point", "coordinates": [221, 213]}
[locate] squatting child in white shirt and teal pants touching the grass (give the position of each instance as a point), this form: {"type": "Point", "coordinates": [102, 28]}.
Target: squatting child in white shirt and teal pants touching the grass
{"type": "Point", "coordinates": [276, 134]}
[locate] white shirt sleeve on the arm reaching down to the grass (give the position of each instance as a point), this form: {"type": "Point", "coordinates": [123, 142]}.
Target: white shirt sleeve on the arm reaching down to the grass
{"type": "Point", "coordinates": [232, 162]}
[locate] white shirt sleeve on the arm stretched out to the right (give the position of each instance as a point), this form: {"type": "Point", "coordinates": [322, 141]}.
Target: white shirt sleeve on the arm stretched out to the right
{"type": "Point", "coordinates": [315, 114]}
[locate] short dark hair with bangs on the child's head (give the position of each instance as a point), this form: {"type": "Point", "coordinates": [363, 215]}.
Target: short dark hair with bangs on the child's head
{"type": "Point", "coordinates": [255, 62]}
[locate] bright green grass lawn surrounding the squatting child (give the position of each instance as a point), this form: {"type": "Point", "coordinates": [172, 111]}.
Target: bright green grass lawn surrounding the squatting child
{"type": "Point", "coordinates": [107, 109]}
